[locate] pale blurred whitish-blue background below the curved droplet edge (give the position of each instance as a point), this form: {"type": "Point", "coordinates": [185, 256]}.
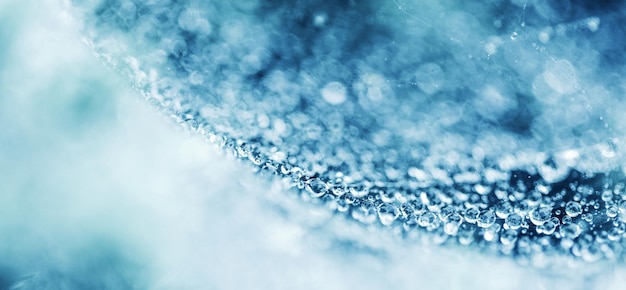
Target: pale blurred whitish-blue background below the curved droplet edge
{"type": "Point", "coordinates": [99, 191]}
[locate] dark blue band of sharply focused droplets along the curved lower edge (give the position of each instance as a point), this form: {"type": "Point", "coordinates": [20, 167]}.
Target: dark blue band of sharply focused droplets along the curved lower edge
{"type": "Point", "coordinates": [582, 217]}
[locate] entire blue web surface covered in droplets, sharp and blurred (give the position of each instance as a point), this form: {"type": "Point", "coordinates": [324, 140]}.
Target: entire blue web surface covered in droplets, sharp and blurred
{"type": "Point", "coordinates": [411, 119]}
